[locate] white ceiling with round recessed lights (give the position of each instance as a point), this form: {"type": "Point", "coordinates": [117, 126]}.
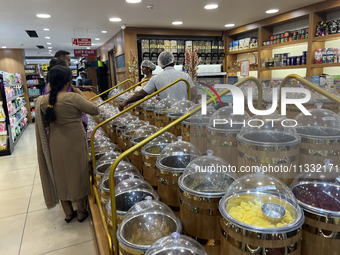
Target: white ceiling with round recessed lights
{"type": "Point", "coordinates": [86, 18]}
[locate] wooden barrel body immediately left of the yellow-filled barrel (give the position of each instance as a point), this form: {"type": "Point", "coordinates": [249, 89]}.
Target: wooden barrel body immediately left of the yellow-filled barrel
{"type": "Point", "coordinates": [200, 218]}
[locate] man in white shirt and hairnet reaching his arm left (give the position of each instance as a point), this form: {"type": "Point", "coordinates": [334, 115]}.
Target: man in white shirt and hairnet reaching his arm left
{"type": "Point", "coordinates": [178, 91]}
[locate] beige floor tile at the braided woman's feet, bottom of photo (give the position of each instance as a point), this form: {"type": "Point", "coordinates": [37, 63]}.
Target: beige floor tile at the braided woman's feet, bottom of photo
{"type": "Point", "coordinates": [49, 229]}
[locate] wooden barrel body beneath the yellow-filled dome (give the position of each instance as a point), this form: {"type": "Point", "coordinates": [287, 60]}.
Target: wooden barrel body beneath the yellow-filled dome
{"type": "Point", "coordinates": [237, 241]}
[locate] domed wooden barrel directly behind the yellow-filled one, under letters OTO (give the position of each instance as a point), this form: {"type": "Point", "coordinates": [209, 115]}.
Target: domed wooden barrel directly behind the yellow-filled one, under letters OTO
{"type": "Point", "coordinates": [271, 142]}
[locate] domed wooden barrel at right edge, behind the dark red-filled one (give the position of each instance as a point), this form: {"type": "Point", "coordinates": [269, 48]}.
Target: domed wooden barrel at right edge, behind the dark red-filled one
{"type": "Point", "coordinates": [320, 136]}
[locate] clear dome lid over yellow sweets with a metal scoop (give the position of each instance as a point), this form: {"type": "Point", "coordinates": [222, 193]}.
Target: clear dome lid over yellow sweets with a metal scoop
{"type": "Point", "coordinates": [261, 203]}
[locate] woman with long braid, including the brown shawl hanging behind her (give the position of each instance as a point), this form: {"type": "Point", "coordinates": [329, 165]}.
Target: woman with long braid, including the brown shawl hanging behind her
{"type": "Point", "coordinates": [63, 156]}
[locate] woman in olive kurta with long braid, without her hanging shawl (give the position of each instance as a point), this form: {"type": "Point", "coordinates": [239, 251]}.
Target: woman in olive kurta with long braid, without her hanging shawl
{"type": "Point", "coordinates": [67, 141]}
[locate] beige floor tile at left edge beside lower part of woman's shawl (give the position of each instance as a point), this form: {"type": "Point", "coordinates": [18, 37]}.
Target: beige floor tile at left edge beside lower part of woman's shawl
{"type": "Point", "coordinates": [17, 178]}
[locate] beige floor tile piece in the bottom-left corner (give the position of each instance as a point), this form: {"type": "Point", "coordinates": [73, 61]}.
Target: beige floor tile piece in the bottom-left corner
{"type": "Point", "coordinates": [11, 233]}
